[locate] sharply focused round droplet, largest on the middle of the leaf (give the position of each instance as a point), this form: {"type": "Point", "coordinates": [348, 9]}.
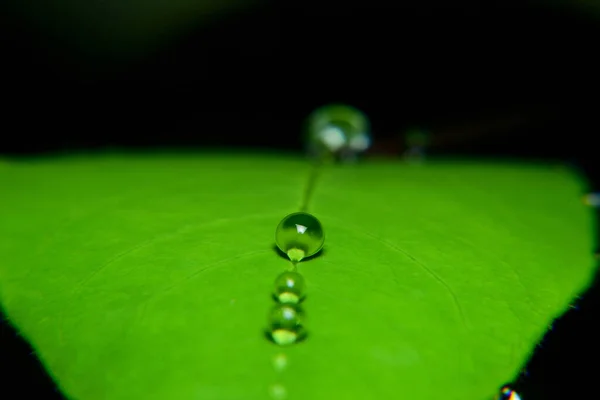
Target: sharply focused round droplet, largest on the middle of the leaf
{"type": "Point", "coordinates": [299, 235]}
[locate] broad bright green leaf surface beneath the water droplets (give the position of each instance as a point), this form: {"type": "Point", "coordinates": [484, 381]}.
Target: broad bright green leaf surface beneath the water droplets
{"type": "Point", "coordinates": [149, 277]}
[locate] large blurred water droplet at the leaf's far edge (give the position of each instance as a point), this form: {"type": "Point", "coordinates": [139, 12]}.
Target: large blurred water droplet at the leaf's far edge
{"type": "Point", "coordinates": [338, 130]}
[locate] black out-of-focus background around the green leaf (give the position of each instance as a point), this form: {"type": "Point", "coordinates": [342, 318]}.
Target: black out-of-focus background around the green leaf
{"type": "Point", "coordinates": [518, 79]}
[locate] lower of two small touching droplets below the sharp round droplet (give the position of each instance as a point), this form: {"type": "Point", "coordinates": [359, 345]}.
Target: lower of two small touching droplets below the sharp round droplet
{"type": "Point", "coordinates": [286, 324]}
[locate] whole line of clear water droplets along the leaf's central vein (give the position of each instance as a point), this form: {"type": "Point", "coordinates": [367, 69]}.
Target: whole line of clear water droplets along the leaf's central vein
{"type": "Point", "coordinates": [335, 129]}
